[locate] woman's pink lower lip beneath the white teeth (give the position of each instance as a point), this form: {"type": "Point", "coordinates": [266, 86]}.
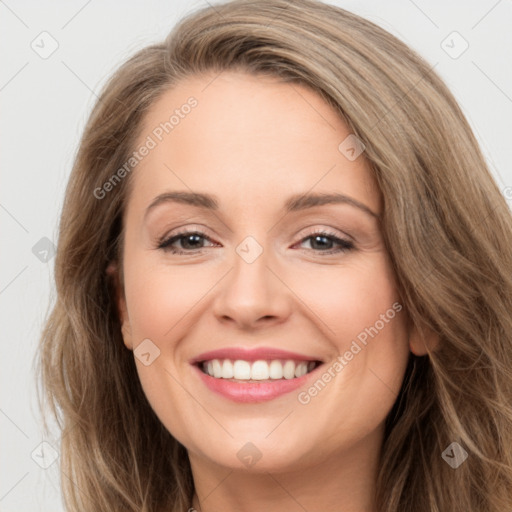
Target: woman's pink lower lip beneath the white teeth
{"type": "Point", "coordinates": [252, 391]}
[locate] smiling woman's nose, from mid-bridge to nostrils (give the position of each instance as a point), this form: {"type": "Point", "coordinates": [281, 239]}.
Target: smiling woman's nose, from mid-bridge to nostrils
{"type": "Point", "coordinates": [253, 294]}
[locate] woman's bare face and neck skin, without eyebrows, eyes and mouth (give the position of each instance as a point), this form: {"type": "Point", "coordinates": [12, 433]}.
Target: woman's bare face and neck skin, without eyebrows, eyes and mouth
{"type": "Point", "coordinates": [253, 142]}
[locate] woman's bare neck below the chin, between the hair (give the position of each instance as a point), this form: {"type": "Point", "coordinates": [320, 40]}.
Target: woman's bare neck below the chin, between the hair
{"type": "Point", "coordinates": [338, 482]}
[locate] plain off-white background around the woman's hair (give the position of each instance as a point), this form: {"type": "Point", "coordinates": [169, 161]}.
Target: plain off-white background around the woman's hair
{"type": "Point", "coordinates": [45, 103]}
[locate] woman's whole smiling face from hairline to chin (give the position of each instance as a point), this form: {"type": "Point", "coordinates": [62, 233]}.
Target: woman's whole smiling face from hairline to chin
{"type": "Point", "coordinates": [261, 288]}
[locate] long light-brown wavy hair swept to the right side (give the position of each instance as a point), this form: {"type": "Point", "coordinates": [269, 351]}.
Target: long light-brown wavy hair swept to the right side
{"type": "Point", "coordinates": [446, 225]}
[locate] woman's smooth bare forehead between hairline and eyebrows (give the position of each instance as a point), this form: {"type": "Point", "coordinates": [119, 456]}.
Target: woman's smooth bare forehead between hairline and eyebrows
{"type": "Point", "coordinates": [243, 136]}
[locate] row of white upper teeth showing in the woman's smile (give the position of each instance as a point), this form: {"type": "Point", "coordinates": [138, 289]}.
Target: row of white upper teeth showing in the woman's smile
{"type": "Point", "coordinates": [257, 370]}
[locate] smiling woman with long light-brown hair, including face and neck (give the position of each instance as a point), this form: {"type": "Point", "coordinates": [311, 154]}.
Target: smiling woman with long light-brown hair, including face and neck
{"type": "Point", "coordinates": [261, 369]}
